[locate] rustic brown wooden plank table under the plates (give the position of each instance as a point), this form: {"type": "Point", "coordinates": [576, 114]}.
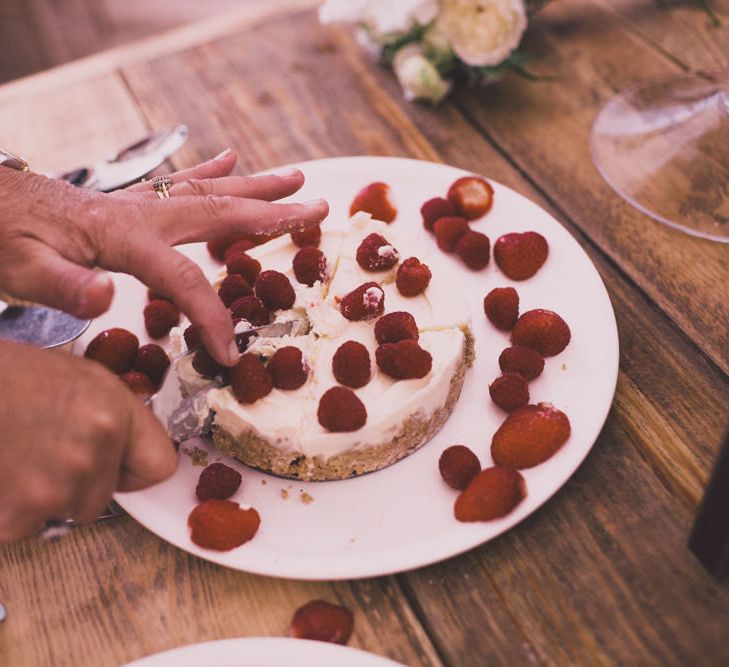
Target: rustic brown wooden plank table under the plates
{"type": "Point", "coordinates": [601, 574]}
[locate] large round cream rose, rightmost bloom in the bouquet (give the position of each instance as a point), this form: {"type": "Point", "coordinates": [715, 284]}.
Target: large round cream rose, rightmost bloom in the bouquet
{"type": "Point", "coordinates": [482, 32]}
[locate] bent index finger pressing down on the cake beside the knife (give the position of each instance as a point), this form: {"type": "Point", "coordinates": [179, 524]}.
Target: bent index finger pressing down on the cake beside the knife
{"type": "Point", "coordinates": [168, 272]}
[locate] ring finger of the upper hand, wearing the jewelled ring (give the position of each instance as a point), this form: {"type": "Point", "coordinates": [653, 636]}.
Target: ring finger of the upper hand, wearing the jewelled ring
{"type": "Point", "coordinates": [268, 187]}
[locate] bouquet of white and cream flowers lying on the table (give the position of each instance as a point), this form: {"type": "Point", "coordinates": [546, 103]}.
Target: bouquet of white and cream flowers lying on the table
{"type": "Point", "coordinates": [432, 43]}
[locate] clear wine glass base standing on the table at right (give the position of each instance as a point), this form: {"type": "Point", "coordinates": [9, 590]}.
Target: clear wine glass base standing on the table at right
{"type": "Point", "coordinates": [663, 145]}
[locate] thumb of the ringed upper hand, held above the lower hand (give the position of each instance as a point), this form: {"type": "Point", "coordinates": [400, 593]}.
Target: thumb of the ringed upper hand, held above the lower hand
{"type": "Point", "coordinates": [46, 277]}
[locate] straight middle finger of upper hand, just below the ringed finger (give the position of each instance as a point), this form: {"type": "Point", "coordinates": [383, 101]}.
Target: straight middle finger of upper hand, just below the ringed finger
{"type": "Point", "coordinates": [191, 219]}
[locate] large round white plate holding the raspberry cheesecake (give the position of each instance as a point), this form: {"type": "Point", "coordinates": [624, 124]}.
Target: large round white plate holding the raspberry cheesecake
{"type": "Point", "coordinates": [401, 517]}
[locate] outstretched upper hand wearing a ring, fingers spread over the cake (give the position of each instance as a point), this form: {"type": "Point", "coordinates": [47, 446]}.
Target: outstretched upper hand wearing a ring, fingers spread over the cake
{"type": "Point", "coordinates": [53, 234]}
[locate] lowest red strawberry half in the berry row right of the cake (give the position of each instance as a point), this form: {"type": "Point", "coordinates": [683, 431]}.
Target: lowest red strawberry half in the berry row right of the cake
{"type": "Point", "coordinates": [492, 493]}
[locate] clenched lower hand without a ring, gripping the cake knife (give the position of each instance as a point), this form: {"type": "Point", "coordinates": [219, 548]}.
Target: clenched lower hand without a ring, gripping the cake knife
{"type": "Point", "coordinates": [66, 449]}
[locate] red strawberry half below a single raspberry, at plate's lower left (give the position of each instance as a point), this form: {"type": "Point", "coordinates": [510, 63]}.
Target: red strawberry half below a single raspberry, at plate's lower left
{"type": "Point", "coordinates": [222, 524]}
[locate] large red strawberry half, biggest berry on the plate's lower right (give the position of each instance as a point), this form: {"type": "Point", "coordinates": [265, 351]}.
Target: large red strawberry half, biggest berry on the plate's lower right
{"type": "Point", "coordinates": [529, 436]}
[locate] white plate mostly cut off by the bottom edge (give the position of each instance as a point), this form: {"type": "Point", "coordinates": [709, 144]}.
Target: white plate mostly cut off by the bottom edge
{"type": "Point", "coordinates": [264, 652]}
